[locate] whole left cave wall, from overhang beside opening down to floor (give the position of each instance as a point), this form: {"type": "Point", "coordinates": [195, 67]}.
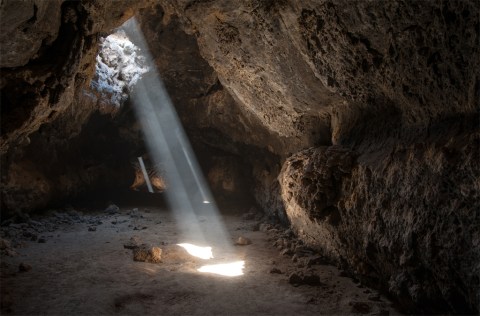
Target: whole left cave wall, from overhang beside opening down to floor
{"type": "Point", "coordinates": [48, 51]}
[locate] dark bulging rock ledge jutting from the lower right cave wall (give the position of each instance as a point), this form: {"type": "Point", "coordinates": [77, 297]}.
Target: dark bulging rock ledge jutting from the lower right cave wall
{"type": "Point", "coordinates": [408, 224]}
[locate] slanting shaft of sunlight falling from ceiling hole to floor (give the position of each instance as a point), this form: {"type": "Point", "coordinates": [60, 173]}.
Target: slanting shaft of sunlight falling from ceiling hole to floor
{"type": "Point", "coordinates": [188, 194]}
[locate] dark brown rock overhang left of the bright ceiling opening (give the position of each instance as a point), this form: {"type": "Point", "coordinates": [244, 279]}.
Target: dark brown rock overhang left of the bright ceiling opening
{"type": "Point", "coordinates": [48, 51]}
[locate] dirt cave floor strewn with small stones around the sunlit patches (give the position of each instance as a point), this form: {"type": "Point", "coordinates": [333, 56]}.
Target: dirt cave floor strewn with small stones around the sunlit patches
{"type": "Point", "coordinates": [72, 263]}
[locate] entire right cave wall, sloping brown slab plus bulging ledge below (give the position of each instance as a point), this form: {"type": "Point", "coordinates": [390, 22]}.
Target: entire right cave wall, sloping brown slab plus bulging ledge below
{"type": "Point", "coordinates": [394, 86]}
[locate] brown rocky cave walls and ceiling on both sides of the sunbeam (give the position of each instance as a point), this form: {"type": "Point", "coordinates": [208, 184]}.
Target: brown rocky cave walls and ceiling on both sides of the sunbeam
{"type": "Point", "coordinates": [358, 121]}
